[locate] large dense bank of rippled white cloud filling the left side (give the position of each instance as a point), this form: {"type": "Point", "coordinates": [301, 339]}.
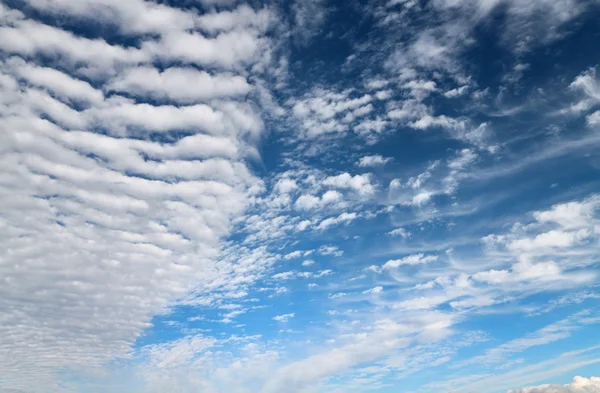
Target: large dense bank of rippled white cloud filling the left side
{"type": "Point", "coordinates": [120, 223]}
